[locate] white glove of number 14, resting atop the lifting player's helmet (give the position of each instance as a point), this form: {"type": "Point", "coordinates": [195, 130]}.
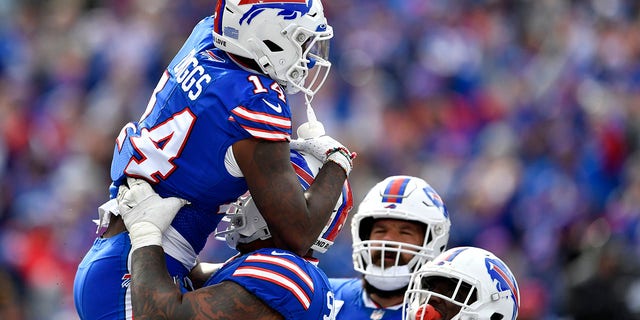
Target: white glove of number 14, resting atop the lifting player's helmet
{"type": "Point", "coordinates": [325, 148]}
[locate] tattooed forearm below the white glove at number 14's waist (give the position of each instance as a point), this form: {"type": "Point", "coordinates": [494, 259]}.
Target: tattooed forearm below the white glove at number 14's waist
{"type": "Point", "coordinates": [154, 295]}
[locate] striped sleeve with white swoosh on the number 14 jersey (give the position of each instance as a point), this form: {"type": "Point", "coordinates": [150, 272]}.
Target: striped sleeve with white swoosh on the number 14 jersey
{"type": "Point", "coordinates": [264, 116]}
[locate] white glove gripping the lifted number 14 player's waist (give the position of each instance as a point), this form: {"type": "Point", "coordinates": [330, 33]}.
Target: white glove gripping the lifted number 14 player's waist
{"type": "Point", "coordinates": [145, 214]}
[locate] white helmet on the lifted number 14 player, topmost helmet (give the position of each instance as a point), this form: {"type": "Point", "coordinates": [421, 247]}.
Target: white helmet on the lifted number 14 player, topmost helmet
{"type": "Point", "coordinates": [285, 39]}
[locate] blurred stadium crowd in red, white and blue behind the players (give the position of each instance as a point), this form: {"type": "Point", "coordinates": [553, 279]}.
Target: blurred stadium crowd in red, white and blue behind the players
{"type": "Point", "coordinates": [524, 115]}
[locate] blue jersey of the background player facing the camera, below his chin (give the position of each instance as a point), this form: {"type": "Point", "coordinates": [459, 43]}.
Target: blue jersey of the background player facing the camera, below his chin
{"type": "Point", "coordinates": [355, 305]}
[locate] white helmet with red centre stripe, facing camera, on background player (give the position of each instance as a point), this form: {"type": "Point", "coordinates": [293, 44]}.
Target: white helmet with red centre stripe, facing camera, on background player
{"type": "Point", "coordinates": [403, 198]}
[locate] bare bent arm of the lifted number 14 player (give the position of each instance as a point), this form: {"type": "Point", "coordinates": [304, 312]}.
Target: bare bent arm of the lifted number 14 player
{"type": "Point", "coordinates": [295, 221]}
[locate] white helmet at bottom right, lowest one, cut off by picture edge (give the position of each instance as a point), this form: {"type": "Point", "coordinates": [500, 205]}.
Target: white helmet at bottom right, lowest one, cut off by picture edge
{"type": "Point", "coordinates": [482, 286]}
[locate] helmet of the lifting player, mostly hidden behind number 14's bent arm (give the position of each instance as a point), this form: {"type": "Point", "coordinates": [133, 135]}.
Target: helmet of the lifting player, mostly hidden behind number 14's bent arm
{"type": "Point", "coordinates": [243, 223]}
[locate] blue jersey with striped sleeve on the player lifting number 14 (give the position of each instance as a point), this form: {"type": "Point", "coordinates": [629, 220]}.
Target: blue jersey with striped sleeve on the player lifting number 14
{"type": "Point", "coordinates": [289, 284]}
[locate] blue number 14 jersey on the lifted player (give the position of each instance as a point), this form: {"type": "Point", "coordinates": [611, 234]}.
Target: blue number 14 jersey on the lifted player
{"type": "Point", "coordinates": [203, 103]}
